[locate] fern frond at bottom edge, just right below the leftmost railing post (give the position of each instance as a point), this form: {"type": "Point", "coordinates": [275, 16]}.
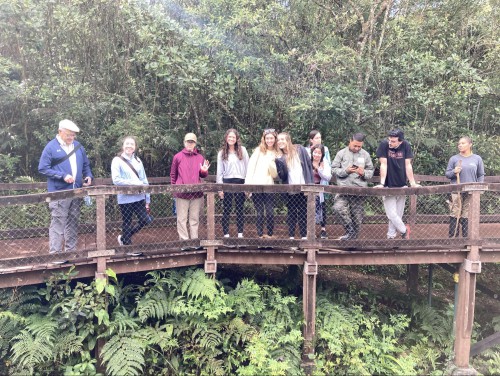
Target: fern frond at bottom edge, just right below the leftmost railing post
{"type": "Point", "coordinates": [123, 356]}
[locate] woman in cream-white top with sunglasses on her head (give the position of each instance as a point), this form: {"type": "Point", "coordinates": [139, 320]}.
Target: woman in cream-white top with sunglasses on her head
{"type": "Point", "coordinates": [262, 170]}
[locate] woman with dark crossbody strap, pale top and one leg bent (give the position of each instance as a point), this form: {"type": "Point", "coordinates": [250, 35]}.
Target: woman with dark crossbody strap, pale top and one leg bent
{"type": "Point", "coordinates": [127, 169]}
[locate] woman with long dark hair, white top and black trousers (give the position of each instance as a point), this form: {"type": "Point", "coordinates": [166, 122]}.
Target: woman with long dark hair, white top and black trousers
{"type": "Point", "coordinates": [232, 162]}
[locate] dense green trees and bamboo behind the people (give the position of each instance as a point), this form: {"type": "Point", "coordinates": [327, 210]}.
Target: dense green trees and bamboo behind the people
{"type": "Point", "coordinates": [157, 69]}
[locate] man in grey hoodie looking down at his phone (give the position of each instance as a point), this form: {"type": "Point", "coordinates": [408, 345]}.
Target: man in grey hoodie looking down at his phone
{"type": "Point", "coordinates": [352, 167]}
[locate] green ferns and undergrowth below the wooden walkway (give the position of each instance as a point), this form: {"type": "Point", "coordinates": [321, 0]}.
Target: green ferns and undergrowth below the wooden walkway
{"type": "Point", "coordinates": [185, 322]}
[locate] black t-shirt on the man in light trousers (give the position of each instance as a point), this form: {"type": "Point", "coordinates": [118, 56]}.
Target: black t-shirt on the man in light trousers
{"type": "Point", "coordinates": [396, 167]}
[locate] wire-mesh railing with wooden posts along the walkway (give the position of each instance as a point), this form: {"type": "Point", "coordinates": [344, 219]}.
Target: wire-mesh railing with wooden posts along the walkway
{"type": "Point", "coordinates": [25, 219]}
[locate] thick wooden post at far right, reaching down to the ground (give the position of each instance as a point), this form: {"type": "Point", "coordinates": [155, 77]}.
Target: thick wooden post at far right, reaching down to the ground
{"type": "Point", "coordinates": [467, 287]}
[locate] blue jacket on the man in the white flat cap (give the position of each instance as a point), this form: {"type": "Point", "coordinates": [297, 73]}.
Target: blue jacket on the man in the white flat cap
{"type": "Point", "coordinates": [55, 175]}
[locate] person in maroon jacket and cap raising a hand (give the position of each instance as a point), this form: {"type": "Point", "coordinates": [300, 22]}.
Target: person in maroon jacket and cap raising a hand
{"type": "Point", "coordinates": [188, 167]}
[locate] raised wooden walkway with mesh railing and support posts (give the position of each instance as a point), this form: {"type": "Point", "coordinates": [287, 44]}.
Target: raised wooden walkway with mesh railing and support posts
{"type": "Point", "coordinates": [25, 258]}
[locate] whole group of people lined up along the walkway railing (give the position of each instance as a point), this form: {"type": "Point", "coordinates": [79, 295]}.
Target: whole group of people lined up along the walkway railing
{"type": "Point", "coordinates": [66, 166]}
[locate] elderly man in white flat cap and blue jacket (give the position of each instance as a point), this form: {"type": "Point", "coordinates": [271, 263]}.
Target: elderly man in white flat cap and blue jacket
{"type": "Point", "coordinates": [66, 166]}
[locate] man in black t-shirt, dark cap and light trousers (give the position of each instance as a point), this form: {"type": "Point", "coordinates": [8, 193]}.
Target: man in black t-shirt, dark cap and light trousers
{"type": "Point", "coordinates": [395, 156]}
